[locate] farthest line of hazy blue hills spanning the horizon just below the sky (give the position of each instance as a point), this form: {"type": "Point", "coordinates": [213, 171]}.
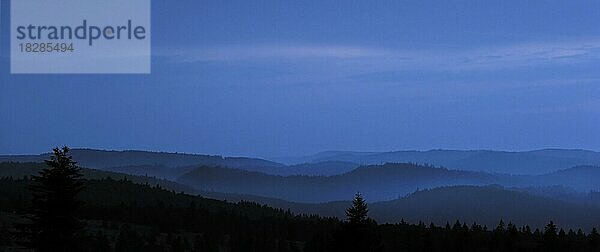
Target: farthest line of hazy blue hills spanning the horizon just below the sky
{"type": "Point", "coordinates": [173, 165]}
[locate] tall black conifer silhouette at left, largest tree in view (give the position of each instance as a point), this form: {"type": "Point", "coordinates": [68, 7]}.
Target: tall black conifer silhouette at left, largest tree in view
{"type": "Point", "coordinates": [54, 224]}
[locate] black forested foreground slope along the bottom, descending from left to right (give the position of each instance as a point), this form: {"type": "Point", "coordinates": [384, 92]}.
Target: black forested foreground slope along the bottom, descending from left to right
{"type": "Point", "coordinates": [122, 216]}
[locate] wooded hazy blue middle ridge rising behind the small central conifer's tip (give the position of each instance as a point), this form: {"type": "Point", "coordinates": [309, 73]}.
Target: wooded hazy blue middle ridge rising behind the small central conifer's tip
{"type": "Point", "coordinates": [382, 182]}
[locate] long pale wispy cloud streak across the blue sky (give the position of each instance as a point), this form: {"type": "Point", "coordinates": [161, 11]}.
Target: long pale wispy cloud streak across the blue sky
{"type": "Point", "coordinates": [510, 56]}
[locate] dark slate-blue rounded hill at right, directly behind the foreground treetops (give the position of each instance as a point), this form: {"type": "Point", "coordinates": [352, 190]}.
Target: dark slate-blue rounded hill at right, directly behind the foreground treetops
{"type": "Point", "coordinates": [484, 205]}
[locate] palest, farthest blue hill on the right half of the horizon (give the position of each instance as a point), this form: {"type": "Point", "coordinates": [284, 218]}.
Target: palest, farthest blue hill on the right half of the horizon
{"type": "Point", "coordinates": [527, 162]}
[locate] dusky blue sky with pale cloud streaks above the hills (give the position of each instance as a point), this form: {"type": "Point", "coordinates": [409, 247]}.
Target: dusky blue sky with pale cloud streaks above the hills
{"type": "Point", "coordinates": [286, 78]}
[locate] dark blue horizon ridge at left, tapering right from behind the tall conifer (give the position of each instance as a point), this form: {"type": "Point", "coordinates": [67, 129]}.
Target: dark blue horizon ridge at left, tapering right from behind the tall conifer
{"type": "Point", "coordinates": [172, 165]}
